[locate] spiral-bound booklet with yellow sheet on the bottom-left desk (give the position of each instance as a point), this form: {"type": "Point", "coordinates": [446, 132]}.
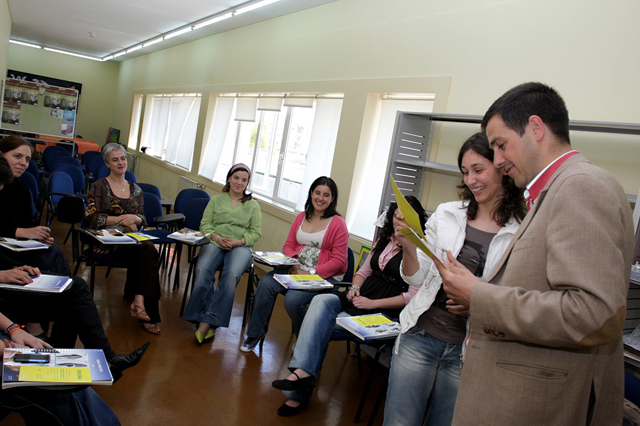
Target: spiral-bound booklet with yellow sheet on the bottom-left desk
{"type": "Point", "coordinates": [54, 367]}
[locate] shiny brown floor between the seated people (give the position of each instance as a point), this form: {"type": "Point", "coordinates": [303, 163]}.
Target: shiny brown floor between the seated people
{"type": "Point", "coordinates": [180, 383]}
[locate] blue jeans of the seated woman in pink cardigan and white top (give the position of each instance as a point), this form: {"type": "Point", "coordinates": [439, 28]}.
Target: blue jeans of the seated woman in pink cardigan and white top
{"type": "Point", "coordinates": [295, 302]}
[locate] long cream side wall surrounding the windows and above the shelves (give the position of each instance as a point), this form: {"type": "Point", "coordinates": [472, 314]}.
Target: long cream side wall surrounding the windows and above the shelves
{"type": "Point", "coordinates": [477, 48]}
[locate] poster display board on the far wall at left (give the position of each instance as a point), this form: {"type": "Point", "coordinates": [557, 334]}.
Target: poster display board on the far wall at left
{"type": "Point", "coordinates": [40, 105]}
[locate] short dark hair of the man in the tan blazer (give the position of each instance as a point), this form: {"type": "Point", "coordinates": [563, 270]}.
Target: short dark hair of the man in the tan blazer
{"type": "Point", "coordinates": [518, 104]}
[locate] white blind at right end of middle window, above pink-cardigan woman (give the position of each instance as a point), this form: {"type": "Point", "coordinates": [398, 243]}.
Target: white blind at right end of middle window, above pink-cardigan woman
{"type": "Point", "coordinates": [321, 145]}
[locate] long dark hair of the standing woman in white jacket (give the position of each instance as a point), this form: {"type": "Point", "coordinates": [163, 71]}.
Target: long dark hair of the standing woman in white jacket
{"type": "Point", "coordinates": [510, 203]}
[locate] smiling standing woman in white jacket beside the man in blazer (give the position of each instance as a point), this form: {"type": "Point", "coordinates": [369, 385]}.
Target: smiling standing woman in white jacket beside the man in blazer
{"type": "Point", "coordinates": [425, 368]}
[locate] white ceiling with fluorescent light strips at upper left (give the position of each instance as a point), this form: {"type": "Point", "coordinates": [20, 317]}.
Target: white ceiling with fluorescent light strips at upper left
{"type": "Point", "coordinates": [99, 28]}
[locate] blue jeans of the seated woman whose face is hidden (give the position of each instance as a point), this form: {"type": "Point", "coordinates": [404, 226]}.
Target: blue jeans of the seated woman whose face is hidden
{"type": "Point", "coordinates": [318, 328]}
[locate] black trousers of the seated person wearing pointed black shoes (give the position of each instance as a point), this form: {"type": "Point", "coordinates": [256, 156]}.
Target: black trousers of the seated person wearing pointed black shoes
{"type": "Point", "coordinates": [73, 312]}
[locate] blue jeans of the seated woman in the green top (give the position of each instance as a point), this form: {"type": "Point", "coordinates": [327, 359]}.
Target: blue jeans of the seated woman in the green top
{"type": "Point", "coordinates": [209, 305]}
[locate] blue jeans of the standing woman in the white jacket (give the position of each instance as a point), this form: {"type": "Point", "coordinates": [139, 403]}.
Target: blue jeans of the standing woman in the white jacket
{"type": "Point", "coordinates": [424, 370]}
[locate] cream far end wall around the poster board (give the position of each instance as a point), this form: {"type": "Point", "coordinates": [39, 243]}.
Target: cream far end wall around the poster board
{"type": "Point", "coordinates": [99, 82]}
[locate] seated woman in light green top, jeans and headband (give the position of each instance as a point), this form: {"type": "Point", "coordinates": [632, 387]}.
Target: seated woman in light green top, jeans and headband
{"type": "Point", "coordinates": [234, 221]}
